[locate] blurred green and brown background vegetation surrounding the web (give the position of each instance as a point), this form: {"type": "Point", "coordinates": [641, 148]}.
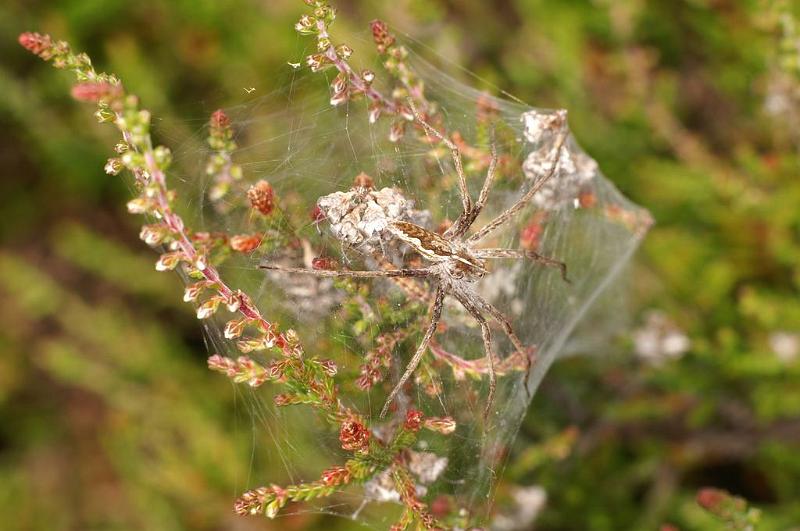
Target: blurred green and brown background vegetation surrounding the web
{"type": "Point", "coordinates": [108, 416]}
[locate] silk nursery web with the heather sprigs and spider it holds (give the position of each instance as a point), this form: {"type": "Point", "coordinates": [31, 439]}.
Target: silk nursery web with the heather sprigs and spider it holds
{"type": "Point", "coordinates": [385, 260]}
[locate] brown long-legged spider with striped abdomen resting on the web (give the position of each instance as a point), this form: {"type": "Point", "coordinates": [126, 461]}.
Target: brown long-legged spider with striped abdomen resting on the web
{"type": "Point", "coordinates": [455, 263]}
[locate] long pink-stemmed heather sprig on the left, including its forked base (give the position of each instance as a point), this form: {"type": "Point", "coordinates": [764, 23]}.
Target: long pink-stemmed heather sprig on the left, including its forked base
{"type": "Point", "coordinates": [308, 380]}
